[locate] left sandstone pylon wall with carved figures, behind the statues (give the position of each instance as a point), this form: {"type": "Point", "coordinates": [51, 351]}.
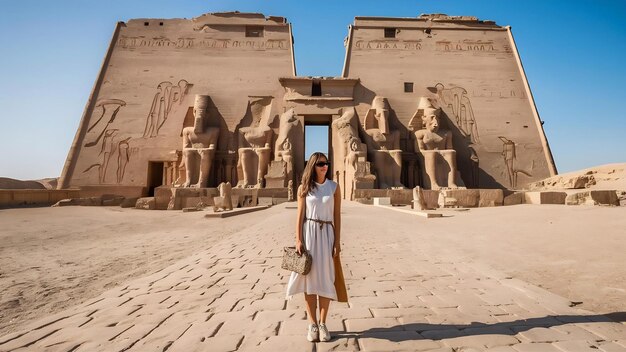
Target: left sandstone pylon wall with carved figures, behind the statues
{"type": "Point", "coordinates": [143, 96]}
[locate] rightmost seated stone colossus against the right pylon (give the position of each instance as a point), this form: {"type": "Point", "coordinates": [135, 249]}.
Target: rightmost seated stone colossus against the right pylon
{"type": "Point", "coordinates": [432, 143]}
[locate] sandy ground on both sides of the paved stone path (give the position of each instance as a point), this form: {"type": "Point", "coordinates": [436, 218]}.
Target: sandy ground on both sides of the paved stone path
{"type": "Point", "coordinates": [54, 258]}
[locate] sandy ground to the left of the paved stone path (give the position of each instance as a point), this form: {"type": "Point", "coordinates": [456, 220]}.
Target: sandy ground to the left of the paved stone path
{"type": "Point", "coordinates": [54, 258]}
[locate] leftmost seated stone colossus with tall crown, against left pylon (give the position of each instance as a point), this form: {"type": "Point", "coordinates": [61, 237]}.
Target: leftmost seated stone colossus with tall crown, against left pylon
{"type": "Point", "coordinates": [199, 144]}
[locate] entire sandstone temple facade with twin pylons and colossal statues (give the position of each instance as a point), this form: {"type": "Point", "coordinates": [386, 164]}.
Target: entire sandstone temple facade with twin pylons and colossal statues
{"type": "Point", "coordinates": [436, 101]}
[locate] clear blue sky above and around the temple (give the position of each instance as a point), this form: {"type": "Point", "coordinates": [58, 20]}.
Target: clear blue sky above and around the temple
{"type": "Point", "coordinates": [573, 52]}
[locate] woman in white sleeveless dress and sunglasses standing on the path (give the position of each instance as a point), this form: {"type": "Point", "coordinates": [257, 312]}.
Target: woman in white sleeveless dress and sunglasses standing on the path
{"type": "Point", "coordinates": [318, 232]}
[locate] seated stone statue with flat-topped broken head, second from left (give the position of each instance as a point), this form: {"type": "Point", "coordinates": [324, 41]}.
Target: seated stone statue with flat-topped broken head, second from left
{"type": "Point", "coordinates": [255, 138]}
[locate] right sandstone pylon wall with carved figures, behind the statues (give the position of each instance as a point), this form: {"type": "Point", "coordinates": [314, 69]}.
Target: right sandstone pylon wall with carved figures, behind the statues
{"type": "Point", "coordinates": [471, 69]}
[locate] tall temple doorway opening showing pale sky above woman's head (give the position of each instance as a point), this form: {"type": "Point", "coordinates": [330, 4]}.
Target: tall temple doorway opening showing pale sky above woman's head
{"type": "Point", "coordinates": [317, 137]}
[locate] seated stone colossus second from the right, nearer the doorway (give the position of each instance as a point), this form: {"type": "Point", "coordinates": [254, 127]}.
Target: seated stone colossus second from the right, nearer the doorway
{"type": "Point", "coordinates": [383, 144]}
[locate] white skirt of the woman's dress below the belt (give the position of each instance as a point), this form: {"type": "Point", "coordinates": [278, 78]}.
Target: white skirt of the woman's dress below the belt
{"type": "Point", "coordinates": [321, 279]}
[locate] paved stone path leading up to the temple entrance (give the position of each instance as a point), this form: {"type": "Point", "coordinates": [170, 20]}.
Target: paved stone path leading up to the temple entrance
{"type": "Point", "coordinates": [231, 297]}
